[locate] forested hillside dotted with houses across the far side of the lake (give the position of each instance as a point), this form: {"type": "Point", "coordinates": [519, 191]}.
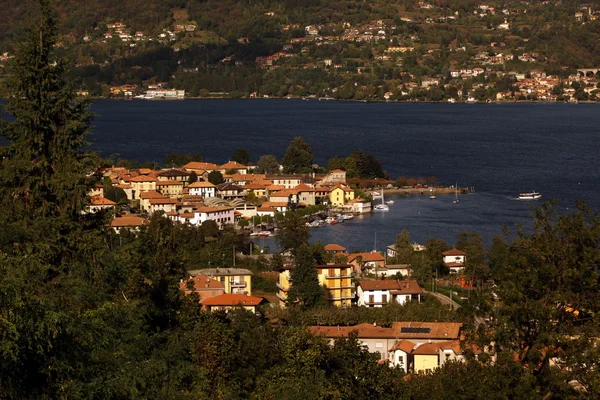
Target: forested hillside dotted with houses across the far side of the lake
{"type": "Point", "coordinates": [350, 49]}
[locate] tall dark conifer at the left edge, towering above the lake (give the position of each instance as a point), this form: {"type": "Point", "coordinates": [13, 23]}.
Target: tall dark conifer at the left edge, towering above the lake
{"type": "Point", "coordinates": [44, 170]}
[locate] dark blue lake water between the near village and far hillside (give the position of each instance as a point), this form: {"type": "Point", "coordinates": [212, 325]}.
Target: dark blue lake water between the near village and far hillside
{"type": "Point", "coordinates": [500, 149]}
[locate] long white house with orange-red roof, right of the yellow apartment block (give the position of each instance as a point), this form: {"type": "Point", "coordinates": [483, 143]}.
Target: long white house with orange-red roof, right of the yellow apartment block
{"type": "Point", "coordinates": [377, 293]}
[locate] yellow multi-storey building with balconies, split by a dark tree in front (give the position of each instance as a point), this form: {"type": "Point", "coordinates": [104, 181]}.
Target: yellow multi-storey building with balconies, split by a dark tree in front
{"type": "Point", "coordinates": [336, 280]}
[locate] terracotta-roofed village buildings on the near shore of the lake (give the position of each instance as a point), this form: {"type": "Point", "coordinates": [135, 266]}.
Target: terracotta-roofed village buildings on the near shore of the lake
{"type": "Point", "coordinates": [356, 279]}
